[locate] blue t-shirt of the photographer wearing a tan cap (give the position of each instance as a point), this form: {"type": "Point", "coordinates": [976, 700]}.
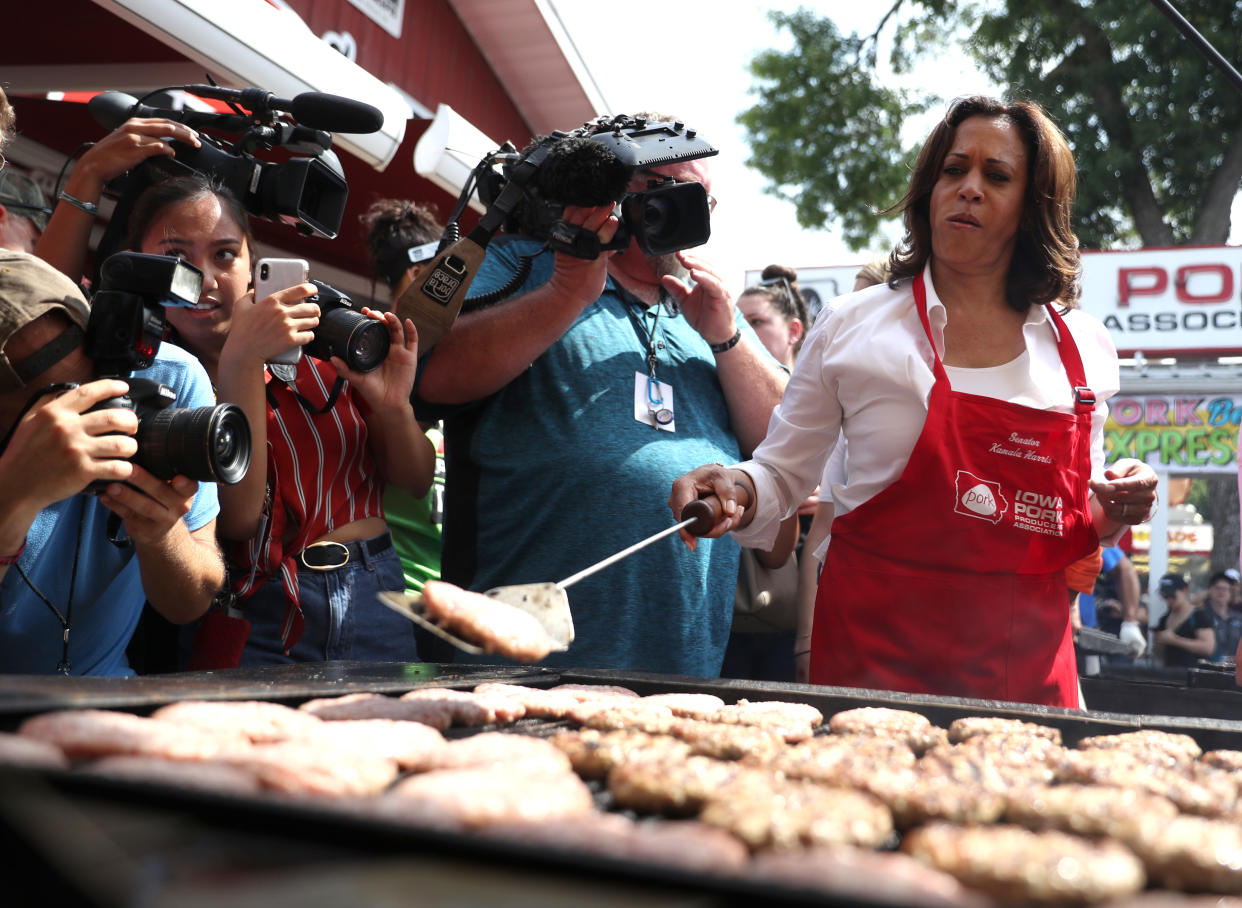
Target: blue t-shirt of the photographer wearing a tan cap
{"type": "Point", "coordinates": [107, 589]}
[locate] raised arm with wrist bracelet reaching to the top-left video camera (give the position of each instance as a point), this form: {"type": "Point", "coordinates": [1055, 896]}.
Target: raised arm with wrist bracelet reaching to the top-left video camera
{"type": "Point", "coordinates": [66, 240]}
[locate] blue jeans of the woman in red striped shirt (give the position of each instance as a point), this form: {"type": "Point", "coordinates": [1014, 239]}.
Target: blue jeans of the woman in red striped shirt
{"type": "Point", "coordinates": [343, 618]}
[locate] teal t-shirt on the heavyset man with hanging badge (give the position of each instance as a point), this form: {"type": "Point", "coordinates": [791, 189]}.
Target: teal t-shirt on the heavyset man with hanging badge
{"type": "Point", "coordinates": [553, 474]}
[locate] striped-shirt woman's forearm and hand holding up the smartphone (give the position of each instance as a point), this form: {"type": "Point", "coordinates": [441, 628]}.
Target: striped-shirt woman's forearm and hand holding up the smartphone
{"type": "Point", "coordinates": [260, 331]}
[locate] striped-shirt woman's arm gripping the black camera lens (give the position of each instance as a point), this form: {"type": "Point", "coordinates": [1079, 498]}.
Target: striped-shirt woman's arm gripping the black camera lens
{"type": "Point", "coordinates": [403, 452]}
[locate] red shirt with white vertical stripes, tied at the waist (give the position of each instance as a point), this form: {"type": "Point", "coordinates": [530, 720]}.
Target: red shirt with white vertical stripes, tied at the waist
{"type": "Point", "coordinates": [321, 475]}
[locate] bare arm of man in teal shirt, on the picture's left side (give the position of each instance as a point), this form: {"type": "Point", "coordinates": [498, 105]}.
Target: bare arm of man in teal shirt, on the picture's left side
{"type": "Point", "coordinates": [489, 348]}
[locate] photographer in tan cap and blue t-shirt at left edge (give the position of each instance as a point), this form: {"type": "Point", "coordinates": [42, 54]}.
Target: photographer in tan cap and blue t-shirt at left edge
{"type": "Point", "coordinates": [70, 597]}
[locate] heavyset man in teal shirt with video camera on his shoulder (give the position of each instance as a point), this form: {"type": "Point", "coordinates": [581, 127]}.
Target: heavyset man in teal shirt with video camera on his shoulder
{"type": "Point", "coordinates": [581, 398]}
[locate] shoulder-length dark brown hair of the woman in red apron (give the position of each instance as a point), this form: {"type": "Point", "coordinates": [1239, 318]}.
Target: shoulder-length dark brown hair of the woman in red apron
{"type": "Point", "coordinates": [1046, 264]}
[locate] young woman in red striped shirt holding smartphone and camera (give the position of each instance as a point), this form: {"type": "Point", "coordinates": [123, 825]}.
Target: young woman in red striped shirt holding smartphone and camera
{"type": "Point", "coordinates": [307, 541]}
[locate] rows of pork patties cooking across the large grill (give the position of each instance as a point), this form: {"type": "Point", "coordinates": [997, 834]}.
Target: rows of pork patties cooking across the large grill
{"type": "Point", "coordinates": [988, 809]}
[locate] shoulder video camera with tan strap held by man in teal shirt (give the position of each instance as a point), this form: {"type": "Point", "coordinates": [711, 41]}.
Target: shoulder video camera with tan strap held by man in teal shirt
{"type": "Point", "coordinates": [592, 166]}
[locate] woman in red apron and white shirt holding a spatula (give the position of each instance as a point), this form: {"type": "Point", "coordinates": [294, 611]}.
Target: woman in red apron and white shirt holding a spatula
{"type": "Point", "coordinates": [972, 394]}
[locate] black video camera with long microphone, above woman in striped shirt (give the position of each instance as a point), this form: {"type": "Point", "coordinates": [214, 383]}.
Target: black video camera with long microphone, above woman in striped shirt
{"type": "Point", "coordinates": [307, 192]}
